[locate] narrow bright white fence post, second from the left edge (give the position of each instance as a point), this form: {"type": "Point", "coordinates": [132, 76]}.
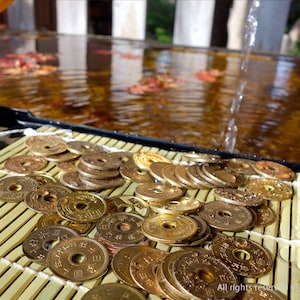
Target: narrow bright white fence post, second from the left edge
{"type": "Point", "coordinates": [72, 17]}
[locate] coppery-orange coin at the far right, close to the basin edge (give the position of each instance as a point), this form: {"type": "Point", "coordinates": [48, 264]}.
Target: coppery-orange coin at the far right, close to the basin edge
{"type": "Point", "coordinates": [274, 170]}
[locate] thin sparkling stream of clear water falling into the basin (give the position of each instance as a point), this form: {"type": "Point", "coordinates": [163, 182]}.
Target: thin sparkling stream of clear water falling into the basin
{"type": "Point", "coordinates": [248, 44]}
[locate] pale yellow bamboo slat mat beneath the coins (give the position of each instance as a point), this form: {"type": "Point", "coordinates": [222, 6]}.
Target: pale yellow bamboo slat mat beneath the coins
{"type": "Point", "coordinates": [22, 279]}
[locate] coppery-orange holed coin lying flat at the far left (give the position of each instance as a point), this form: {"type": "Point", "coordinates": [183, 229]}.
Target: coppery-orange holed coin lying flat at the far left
{"type": "Point", "coordinates": [25, 163]}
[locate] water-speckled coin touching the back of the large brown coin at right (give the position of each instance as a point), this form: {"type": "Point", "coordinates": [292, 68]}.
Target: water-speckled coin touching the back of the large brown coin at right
{"type": "Point", "coordinates": [237, 197]}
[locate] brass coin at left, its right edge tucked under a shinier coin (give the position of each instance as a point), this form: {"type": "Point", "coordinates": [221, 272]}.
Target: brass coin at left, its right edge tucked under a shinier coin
{"type": "Point", "coordinates": [44, 199]}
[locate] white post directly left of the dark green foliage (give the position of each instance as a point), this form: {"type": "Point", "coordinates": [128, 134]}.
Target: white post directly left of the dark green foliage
{"type": "Point", "coordinates": [129, 19]}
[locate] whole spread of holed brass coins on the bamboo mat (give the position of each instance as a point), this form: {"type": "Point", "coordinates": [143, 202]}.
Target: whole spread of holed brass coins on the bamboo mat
{"type": "Point", "coordinates": [81, 234]}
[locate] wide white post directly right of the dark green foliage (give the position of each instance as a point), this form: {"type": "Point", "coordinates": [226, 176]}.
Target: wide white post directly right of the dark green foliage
{"type": "Point", "coordinates": [193, 22]}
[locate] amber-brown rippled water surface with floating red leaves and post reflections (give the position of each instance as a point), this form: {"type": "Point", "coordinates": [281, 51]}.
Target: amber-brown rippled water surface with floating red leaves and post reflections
{"type": "Point", "coordinates": [173, 93]}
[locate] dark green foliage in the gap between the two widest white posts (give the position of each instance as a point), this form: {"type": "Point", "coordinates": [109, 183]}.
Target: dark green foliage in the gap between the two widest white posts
{"type": "Point", "coordinates": [160, 20]}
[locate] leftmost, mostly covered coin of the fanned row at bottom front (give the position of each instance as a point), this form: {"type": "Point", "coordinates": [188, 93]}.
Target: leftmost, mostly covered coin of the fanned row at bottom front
{"type": "Point", "coordinates": [121, 263]}
